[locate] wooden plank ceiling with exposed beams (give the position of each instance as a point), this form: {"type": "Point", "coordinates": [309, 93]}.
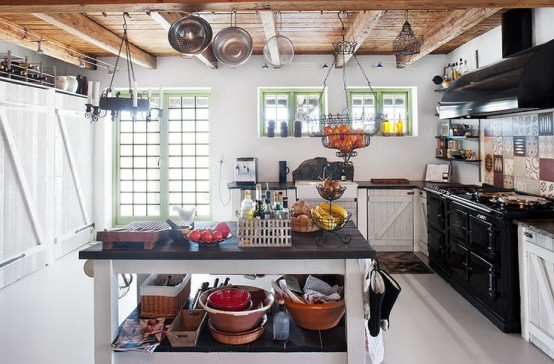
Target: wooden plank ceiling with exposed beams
{"type": "Point", "coordinates": [90, 29]}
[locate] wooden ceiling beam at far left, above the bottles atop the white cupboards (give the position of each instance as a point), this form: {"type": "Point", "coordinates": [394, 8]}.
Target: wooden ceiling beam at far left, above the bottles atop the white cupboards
{"type": "Point", "coordinates": [18, 35]}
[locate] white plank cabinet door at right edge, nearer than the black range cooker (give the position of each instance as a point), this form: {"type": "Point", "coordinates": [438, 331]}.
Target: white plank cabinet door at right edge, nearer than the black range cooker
{"type": "Point", "coordinates": [536, 259]}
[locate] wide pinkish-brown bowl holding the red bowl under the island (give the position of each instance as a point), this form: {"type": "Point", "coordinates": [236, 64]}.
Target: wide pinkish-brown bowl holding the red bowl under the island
{"type": "Point", "coordinates": [239, 321]}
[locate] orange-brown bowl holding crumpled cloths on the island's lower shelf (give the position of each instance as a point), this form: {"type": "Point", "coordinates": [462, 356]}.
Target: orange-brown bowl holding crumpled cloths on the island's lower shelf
{"type": "Point", "coordinates": [322, 316]}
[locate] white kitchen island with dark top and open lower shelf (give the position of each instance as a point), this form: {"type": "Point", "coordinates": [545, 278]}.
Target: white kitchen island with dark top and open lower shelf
{"type": "Point", "coordinates": [303, 257]}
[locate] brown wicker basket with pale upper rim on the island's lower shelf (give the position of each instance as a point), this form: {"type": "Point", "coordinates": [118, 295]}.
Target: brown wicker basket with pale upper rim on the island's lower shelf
{"type": "Point", "coordinates": [159, 300]}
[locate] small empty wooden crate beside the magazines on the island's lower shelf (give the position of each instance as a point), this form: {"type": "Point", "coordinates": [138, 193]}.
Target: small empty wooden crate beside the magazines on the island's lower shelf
{"type": "Point", "coordinates": [185, 329]}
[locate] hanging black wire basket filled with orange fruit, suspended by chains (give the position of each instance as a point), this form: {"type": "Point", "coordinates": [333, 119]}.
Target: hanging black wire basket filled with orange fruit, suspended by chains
{"type": "Point", "coordinates": [345, 131]}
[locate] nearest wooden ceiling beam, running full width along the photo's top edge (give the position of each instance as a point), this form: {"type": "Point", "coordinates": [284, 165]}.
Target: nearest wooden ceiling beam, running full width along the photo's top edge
{"type": "Point", "coordinates": [82, 6]}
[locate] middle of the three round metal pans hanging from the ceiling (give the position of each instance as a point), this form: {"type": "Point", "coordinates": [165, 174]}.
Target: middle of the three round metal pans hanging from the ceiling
{"type": "Point", "coordinates": [232, 46]}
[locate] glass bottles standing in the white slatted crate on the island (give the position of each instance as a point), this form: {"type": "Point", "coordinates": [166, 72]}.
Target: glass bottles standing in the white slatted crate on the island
{"type": "Point", "coordinates": [262, 207]}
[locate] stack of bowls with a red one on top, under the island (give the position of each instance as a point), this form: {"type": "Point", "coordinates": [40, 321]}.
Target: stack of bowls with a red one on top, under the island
{"type": "Point", "coordinates": [237, 315]}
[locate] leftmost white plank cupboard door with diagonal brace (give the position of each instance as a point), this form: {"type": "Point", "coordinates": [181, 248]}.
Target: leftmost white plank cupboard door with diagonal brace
{"type": "Point", "coordinates": [26, 160]}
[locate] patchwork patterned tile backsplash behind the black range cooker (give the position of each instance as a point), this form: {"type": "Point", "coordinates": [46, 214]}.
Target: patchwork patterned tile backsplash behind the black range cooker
{"type": "Point", "coordinates": [522, 151]}
